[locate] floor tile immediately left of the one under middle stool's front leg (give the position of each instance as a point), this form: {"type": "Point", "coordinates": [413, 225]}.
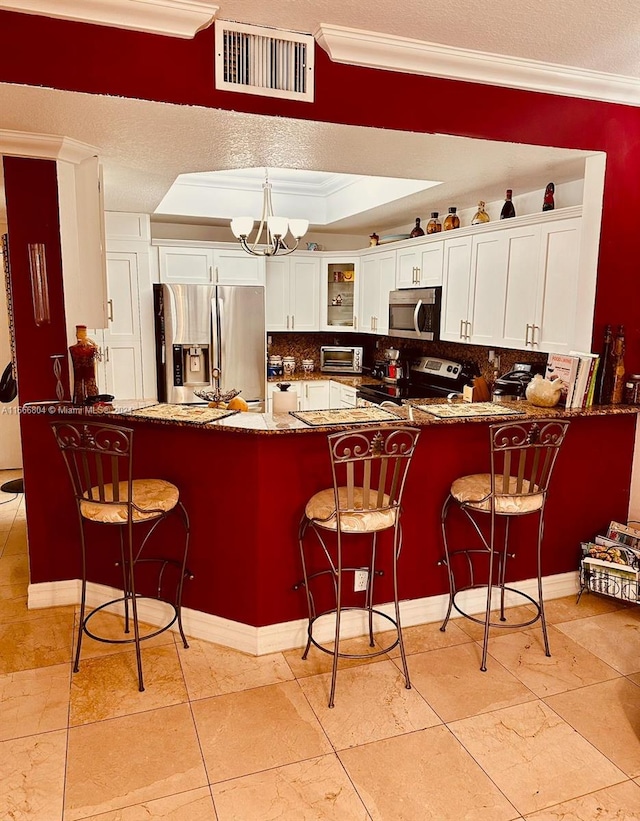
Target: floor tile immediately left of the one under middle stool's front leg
{"type": "Point", "coordinates": [253, 730]}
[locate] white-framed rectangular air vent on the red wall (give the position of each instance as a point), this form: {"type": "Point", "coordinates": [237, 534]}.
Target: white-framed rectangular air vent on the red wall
{"type": "Point", "coordinates": [270, 62]}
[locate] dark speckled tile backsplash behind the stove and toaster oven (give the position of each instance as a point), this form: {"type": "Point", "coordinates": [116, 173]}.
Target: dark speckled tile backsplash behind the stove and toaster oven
{"type": "Point", "coordinates": [307, 346]}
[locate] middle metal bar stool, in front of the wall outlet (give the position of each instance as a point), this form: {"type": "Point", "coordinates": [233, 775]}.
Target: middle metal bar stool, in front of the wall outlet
{"type": "Point", "coordinates": [369, 468]}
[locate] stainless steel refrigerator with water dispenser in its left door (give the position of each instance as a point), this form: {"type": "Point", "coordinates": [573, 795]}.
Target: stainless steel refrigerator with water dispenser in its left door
{"type": "Point", "coordinates": [209, 331]}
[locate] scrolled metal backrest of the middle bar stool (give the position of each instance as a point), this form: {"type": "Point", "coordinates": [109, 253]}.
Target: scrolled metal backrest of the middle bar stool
{"type": "Point", "coordinates": [371, 464]}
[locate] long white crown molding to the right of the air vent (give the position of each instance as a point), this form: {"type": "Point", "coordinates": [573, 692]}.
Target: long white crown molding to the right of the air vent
{"type": "Point", "coordinates": [384, 51]}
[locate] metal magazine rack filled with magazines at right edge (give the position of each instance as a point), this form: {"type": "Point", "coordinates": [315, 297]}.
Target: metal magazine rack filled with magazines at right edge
{"type": "Point", "coordinates": [610, 565]}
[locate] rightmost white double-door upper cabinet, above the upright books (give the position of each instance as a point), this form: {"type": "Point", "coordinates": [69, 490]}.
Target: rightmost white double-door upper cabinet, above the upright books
{"type": "Point", "coordinates": [542, 289]}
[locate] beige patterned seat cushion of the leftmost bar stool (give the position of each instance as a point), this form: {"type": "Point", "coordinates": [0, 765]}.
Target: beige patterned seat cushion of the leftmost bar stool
{"type": "Point", "coordinates": [152, 496]}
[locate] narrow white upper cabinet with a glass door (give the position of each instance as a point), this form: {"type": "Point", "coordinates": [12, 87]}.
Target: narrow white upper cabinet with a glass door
{"type": "Point", "coordinates": [339, 292]}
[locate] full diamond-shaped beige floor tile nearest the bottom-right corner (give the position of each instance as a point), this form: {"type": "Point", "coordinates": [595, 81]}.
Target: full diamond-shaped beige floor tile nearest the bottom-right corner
{"type": "Point", "coordinates": [534, 756]}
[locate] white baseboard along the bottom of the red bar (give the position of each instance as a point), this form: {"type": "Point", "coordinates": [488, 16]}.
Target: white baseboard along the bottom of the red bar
{"type": "Point", "coordinates": [259, 641]}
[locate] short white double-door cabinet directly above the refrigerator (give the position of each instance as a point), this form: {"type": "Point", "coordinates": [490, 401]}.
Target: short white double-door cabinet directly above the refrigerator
{"type": "Point", "coordinates": [187, 262]}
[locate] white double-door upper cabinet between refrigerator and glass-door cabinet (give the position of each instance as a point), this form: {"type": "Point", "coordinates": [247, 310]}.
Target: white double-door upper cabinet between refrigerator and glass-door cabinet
{"type": "Point", "coordinates": [293, 293]}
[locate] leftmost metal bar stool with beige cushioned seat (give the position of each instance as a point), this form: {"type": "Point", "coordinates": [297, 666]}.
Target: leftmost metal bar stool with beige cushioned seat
{"type": "Point", "coordinates": [99, 460]}
